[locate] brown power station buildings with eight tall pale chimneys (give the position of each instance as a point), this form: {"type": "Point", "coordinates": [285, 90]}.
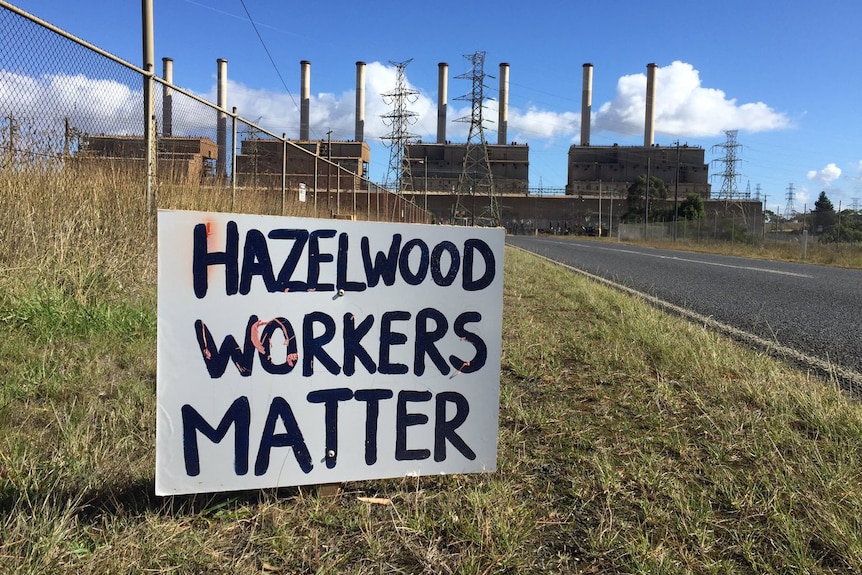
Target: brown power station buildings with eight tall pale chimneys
{"type": "Point", "coordinates": [598, 177]}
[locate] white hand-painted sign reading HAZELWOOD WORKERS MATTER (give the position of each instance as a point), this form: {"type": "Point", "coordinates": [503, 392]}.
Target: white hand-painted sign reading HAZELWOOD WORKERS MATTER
{"type": "Point", "coordinates": [298, 351]}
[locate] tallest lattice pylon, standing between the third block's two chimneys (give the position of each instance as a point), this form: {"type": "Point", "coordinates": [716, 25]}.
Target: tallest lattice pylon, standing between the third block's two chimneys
{"type": "Point", "coordinates": [475, 179]}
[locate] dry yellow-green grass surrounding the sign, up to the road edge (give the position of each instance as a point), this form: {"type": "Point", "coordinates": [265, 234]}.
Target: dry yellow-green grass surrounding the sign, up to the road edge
{"type": "Point", "coordinates": [629, 441]}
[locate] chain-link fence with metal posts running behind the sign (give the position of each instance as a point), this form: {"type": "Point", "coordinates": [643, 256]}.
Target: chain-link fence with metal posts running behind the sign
{"type": "Point", "coordinates": [68, 105]}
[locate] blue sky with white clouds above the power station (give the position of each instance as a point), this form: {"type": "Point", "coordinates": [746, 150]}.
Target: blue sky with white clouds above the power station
{"type": "Point", "coordinates": [784, 74]}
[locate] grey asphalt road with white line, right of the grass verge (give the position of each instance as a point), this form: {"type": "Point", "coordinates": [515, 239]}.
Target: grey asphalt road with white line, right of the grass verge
{"type": "Point", "coordinates": [815, 310]}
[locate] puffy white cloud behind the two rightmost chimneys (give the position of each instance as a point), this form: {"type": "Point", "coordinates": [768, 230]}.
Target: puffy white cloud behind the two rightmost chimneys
{"type": "Point", "coordinates": [683, 107]}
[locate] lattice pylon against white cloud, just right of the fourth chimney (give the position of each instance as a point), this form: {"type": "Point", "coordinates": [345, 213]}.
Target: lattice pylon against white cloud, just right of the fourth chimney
{"type": "Point", "coordinates": [400, 119]}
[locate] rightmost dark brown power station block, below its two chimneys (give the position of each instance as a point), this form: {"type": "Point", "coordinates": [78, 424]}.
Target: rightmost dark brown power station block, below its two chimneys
{"type": "Point", "coordinates": [617, 167]}
